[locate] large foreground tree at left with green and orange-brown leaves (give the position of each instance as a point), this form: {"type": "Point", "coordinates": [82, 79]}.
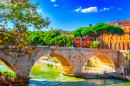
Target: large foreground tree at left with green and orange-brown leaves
{"type": "Point", "coordinates": [21, 14]}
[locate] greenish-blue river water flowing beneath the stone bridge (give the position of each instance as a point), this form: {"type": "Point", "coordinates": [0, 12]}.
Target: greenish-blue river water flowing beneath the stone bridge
{"type": "Point", "coordinates": [42, 75]}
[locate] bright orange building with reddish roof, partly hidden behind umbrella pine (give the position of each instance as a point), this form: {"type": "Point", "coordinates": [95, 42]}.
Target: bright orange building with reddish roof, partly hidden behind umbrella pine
{"type": "Point", "coordinates": [119, 42]}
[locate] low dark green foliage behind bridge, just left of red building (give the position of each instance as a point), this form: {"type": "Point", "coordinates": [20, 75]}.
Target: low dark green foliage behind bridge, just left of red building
{"type": "Point", "coordinates": [59, 40]}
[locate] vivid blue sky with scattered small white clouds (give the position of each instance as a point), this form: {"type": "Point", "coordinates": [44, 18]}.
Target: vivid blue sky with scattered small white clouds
{"type": "Point", "coordinates": [72, 14]}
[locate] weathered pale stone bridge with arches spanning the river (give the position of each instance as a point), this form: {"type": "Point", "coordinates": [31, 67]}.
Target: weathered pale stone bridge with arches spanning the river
{"type": "Point", "coordinates": [71, 59]}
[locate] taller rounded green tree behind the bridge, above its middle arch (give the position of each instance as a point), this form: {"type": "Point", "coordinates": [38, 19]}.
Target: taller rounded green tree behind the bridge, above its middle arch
{"type": "Point", "coordinates": [49, 35]}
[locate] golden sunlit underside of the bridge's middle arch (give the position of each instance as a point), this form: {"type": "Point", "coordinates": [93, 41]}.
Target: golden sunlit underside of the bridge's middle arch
{"type": "Point", "coordinates": [66, 67]}
